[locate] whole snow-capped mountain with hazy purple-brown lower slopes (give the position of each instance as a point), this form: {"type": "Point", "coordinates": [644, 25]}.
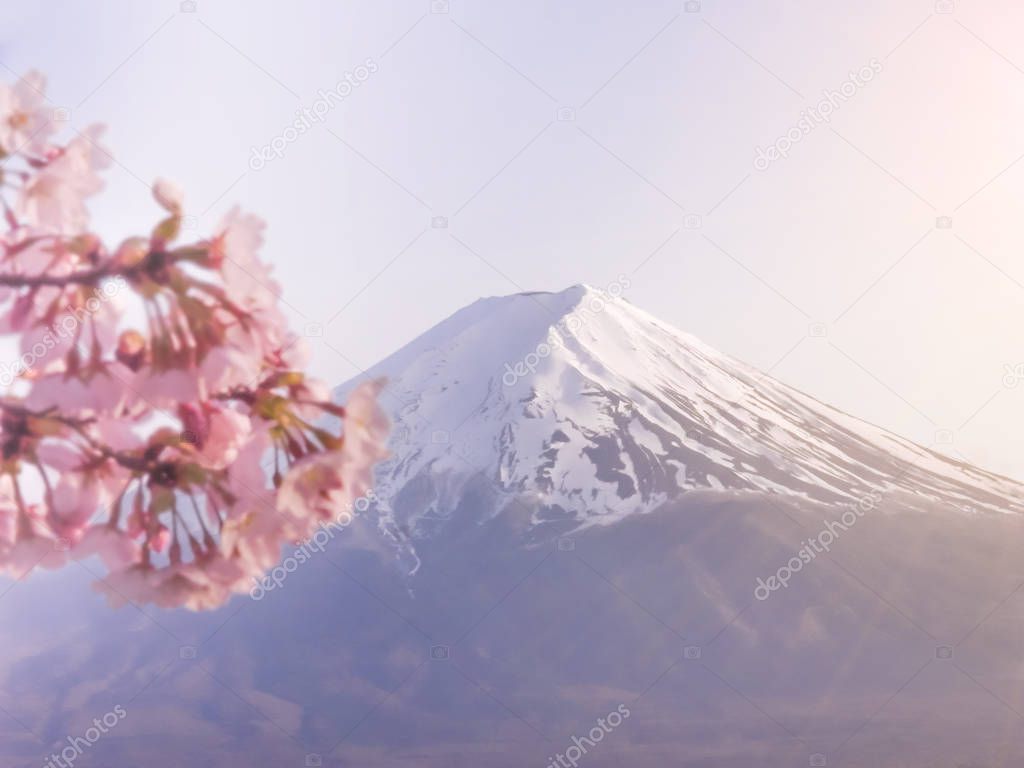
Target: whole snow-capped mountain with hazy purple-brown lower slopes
{"type": "Point", "coordinates": [587, 513]}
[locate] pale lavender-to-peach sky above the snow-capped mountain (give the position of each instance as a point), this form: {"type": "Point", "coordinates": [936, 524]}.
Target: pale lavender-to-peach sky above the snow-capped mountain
{"type": "Point", "coordinates": [873, 261]}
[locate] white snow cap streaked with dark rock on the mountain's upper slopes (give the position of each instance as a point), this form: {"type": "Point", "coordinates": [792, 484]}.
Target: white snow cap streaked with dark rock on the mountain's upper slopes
{"type": "Point", "coordinates": [590, 410]}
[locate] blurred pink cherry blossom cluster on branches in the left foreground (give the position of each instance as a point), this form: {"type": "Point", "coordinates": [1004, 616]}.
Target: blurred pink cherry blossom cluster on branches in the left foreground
{"type": "Point", "coordinates": [160, 419]}
